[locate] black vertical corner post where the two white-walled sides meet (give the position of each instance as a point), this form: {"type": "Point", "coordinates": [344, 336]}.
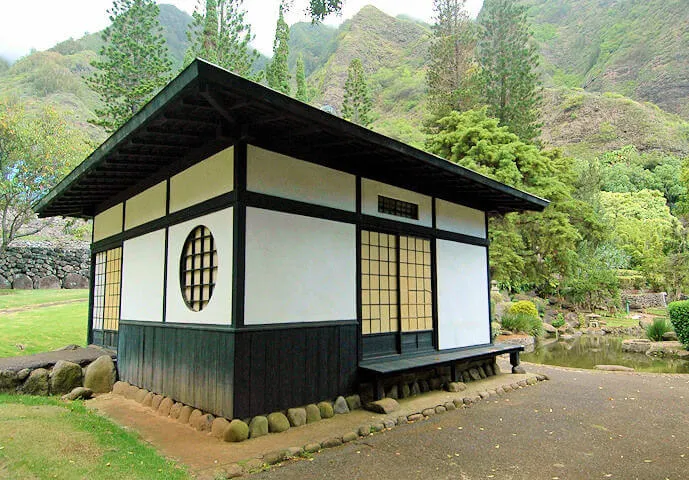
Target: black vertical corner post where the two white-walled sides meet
{"type": "Point", "coordinates": [239, 235]}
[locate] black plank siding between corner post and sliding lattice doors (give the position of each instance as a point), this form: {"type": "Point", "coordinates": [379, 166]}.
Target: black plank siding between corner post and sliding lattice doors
{"type": "Point", "coordinates": [285, 366]}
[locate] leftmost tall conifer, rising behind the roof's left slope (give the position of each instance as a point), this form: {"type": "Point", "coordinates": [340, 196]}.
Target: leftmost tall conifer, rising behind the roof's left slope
{"type": "Point", "coordinates": [133, 63]}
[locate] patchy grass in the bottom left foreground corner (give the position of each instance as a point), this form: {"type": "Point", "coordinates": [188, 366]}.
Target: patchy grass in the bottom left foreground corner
{"type": "Point", "coordinates": [41, 437]}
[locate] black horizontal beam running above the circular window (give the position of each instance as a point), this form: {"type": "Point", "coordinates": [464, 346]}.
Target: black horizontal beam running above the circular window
{"type": "Point", "coordinates": [212, 205]}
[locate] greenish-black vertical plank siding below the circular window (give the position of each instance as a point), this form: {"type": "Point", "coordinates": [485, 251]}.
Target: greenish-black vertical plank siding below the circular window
{"type": "Point", "coordinates": [191, 364]}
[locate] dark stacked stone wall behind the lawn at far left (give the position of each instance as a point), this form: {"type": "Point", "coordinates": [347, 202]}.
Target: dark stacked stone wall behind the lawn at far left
{"type": "Point", "coordinates": [44, 267]}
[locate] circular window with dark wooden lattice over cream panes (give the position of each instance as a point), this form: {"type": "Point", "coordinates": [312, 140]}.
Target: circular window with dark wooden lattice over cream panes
{"type": "Point", "coordinates": [198, 268]}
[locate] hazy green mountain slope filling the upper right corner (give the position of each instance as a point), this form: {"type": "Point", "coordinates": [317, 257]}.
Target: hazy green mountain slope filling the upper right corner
{"type": "Point", "coordinates": [638, 48]}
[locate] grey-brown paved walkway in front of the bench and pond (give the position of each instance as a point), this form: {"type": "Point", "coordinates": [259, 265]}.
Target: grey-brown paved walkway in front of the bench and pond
{"type": "Point", "coordinates": [579, 425]}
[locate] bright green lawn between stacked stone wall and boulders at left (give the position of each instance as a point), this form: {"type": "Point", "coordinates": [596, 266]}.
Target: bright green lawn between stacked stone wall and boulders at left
{"type": "Point", "coordinates": [44, 328]}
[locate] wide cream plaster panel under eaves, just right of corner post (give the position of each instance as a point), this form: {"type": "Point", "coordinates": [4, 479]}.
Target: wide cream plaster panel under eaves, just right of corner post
{"type": "Point", "coordinates": [275, 174]}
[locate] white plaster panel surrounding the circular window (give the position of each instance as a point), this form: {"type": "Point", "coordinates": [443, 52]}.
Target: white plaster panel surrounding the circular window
{"type": "Point", "coordinates": [219, 308]}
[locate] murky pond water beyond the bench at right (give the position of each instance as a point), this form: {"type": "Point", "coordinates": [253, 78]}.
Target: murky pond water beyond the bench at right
{"type": "Point", "coordinates": [587, 351]}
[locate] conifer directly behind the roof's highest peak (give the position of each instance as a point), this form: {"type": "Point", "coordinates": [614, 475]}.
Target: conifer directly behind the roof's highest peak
{"type": "Point", "coordinates": [220, 35]}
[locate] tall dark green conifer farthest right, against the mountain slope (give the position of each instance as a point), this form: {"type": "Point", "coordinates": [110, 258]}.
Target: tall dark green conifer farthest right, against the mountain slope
{"type": "Point", "coordinates": [509, 59]}
